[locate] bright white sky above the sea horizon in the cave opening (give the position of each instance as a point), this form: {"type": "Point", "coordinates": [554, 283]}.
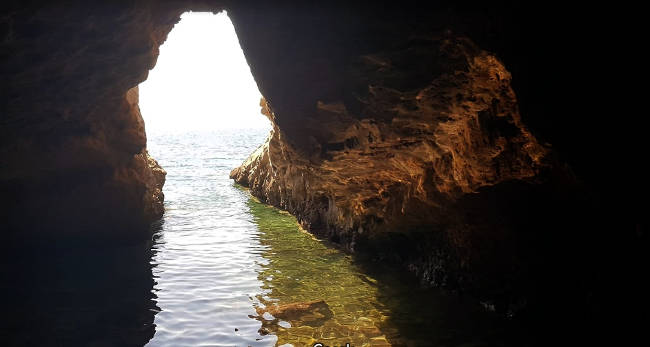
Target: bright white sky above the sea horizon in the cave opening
{"type": "Point", "coordinates": [201, 80]}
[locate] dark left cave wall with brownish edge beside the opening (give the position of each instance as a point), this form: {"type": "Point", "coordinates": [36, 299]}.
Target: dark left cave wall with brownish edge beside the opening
{"type": "Point", "coordinates": [72, 141]}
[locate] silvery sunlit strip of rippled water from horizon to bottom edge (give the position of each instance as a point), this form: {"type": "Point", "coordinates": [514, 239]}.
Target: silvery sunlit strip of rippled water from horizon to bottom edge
{"type": "Point", "coordinates": [207, 255]}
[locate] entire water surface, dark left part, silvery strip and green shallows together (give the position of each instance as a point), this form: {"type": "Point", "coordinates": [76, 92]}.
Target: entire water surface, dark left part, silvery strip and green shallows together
{"type": "Point", "coordinates": [223, 270]}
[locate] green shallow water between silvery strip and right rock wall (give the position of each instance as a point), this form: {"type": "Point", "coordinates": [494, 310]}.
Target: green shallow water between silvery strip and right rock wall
{"type": "Point", "coordinates": [370, 305]}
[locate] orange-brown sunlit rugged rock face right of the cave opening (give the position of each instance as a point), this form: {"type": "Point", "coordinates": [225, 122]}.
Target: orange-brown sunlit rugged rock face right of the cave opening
{"type": "Point", "coordinates": [458, 134]}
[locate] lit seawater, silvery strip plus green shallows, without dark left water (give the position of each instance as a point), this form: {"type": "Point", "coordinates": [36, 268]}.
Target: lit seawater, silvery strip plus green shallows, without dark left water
{"type": "Point", "coordinates": [234, 272]}
